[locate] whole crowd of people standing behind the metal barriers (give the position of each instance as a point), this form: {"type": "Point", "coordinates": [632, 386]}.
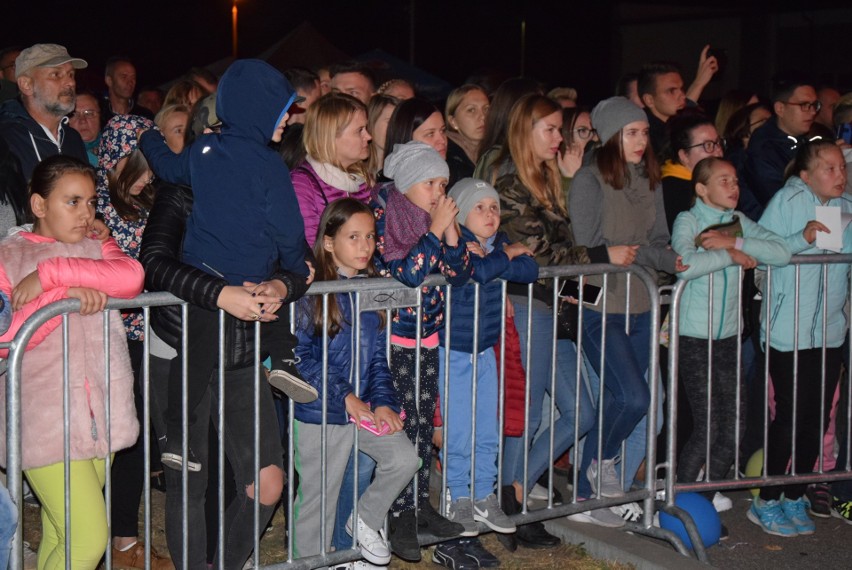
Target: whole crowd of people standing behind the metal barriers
{"type": "Point", "coordinates": [236, 193]}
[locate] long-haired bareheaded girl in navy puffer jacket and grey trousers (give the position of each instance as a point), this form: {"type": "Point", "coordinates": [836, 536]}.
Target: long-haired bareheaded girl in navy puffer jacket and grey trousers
{"type": "Point", "coordinates": [344, 251]}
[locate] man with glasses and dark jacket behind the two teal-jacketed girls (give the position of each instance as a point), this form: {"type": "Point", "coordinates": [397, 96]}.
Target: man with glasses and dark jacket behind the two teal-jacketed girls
{"type": "Point", "coordinates": [774, 145]}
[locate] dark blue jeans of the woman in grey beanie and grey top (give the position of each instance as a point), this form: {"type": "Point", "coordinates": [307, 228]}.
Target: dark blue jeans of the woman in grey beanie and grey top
{"type": "Point", "coordinates": [626, 393]}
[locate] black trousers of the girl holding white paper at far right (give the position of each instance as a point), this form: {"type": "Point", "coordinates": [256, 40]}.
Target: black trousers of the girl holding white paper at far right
{"type": "Point", "coordinates": [809, 429]}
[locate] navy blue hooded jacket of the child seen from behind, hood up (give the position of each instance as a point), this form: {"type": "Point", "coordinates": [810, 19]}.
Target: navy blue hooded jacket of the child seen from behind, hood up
{"type": "Point", "coordinates": [245, 218]}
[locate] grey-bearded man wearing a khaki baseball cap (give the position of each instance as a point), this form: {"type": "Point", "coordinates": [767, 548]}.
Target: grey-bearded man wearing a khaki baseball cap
{"type": "Point", "coordinates": [34, 126]}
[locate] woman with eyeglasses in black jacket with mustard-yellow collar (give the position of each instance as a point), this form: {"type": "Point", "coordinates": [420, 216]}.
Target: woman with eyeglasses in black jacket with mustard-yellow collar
{"type": "Point", "coordinates": [693, 138]}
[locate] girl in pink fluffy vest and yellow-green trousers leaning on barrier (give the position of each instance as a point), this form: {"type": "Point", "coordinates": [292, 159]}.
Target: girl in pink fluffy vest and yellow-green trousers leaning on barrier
{"type": "Point", "coordinates": [59, 260]}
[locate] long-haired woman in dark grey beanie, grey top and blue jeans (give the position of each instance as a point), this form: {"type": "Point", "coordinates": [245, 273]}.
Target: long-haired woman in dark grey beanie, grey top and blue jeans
{"type": "Point", "coordinates": [617, 200]}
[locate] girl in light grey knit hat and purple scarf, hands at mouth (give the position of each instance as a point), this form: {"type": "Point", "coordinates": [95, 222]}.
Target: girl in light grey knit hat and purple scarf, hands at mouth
{"type": "Point", "coordinates": [417, 235]}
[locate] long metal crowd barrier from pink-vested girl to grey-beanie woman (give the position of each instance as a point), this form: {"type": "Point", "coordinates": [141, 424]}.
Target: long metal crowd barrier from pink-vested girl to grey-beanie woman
{"type": "Point", "coordinates": [370, 295]}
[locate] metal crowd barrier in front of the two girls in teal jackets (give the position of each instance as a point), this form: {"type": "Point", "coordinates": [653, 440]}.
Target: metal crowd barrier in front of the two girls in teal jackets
{"type": "Point", "coordinates": [737, 479]}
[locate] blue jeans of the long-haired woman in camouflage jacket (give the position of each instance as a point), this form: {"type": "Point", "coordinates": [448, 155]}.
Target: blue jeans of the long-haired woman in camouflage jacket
{"type": "Point", "coordinates": [539, 383]}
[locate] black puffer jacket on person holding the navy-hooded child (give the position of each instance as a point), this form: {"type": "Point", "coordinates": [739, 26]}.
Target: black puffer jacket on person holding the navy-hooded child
{"type": "Point", "coordinates": [164, 271]}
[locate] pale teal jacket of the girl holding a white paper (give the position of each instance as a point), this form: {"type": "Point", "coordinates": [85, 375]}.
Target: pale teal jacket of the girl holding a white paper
{"type": "Point", "coordinates": [787, 213]}
